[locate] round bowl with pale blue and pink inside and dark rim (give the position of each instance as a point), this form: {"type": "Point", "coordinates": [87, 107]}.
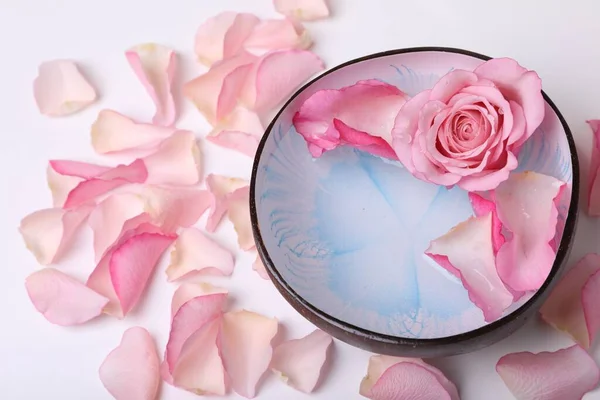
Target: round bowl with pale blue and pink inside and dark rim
{"type": "Point", "coordinates": [342, 236]}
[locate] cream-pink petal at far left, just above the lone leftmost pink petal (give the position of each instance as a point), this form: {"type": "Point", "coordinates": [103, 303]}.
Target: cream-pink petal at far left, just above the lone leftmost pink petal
{"type": "Point", "coordinates": [48, 233]}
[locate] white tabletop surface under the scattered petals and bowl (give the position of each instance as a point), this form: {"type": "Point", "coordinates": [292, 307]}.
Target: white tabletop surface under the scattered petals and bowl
{"type": "Point", "coordinates": [40, 361]}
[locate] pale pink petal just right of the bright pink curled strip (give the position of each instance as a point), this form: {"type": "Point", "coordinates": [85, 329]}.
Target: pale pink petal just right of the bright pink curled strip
{"type": "Point", "coordinates": [176, 162]}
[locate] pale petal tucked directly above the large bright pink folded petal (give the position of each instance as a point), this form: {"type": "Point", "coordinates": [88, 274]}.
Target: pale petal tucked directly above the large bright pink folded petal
{"type": "Point", "coordinates": [108, 218]}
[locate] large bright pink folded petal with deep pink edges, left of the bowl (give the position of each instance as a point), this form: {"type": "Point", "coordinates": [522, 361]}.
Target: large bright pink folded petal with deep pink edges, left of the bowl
{"type": "Point", "coordinates": [123, 273]}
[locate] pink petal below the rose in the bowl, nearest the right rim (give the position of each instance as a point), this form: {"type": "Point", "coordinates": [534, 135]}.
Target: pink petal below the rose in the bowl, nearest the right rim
{"type": "Point", "coordinates": [526, 207]}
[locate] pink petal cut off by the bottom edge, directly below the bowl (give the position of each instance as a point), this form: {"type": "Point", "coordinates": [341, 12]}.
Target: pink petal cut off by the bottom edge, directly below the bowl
{"type": "Point", "coordinates": [391, 378]}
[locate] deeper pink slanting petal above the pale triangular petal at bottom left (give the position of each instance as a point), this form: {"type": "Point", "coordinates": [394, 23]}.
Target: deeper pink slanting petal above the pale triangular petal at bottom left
{"type": "Point", "coordinates": [191, 316]}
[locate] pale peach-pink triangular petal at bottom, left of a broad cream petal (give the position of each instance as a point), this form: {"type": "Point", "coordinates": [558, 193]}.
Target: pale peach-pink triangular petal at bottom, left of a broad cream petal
{"type": "Point", "coordinates": [200, 367]}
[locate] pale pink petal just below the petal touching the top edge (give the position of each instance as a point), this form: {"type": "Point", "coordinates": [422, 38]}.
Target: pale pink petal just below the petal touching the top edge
{"type": "Point", "coordinates": [277, 34]}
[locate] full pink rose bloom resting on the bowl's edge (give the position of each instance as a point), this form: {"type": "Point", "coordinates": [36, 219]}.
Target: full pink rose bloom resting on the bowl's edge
{"type": "Point", "coordinates": [468, 128]}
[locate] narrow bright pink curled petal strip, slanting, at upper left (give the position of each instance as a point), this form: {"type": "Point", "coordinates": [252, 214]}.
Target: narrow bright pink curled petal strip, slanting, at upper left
{"type": "Point", "coordinates": [89, 189]}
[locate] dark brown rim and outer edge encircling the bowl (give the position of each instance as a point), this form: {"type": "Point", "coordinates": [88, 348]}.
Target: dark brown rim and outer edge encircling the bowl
{"type": "Point", "coordinates": [375, 340]}
